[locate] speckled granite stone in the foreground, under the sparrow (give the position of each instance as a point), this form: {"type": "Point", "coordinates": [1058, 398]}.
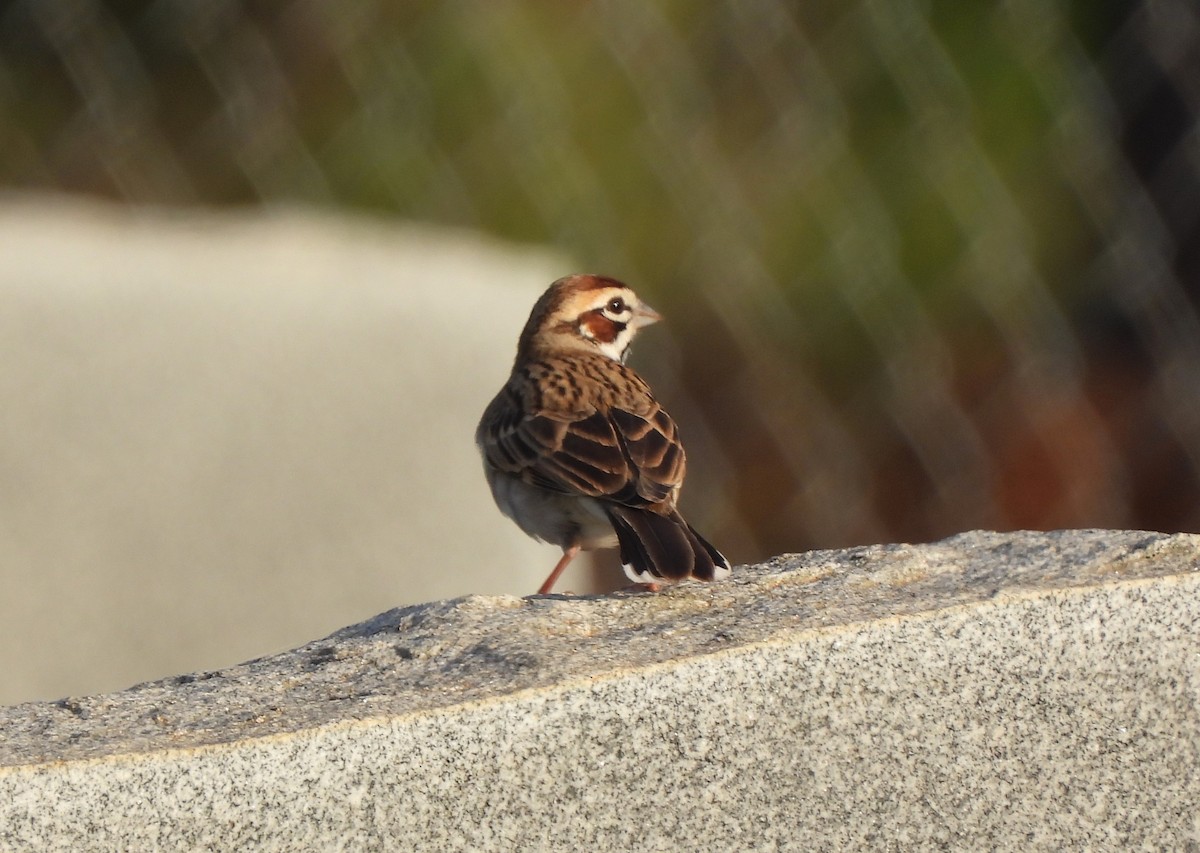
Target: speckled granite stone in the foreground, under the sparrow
{"type": "Point", "coordinates": [1005, 692]}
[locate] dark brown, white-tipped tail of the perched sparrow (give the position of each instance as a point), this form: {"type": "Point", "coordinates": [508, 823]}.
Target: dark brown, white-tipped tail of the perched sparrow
{"type": "Point", "coordinates": [664, 548]}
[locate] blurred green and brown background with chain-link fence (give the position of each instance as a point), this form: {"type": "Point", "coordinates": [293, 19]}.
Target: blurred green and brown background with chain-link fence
{"type": "Point", "coordinates": [927, 267]}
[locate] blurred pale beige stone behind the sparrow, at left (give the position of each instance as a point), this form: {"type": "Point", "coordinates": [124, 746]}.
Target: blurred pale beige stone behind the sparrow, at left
{"type": "Point", "coordinates": [226, 435]}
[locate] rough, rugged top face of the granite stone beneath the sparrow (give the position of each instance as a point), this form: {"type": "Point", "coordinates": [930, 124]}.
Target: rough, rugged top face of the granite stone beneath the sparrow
{"type": "Point", "coordinates": [449, 653]}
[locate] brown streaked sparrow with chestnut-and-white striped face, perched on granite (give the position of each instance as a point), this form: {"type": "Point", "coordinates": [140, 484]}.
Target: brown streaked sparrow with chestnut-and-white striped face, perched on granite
{"type": "Point", "coordinates": [577, 449]}
